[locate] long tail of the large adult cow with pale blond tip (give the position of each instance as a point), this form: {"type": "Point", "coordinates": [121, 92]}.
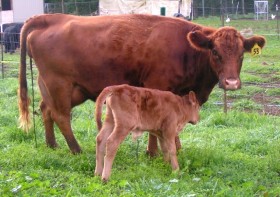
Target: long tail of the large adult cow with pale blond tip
{"type": "Point", "coordinates": [23, 99]}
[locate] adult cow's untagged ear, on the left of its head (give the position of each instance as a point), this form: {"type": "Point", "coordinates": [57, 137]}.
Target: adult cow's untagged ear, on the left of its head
{"type": "Point", "coordinates": [199, 40]}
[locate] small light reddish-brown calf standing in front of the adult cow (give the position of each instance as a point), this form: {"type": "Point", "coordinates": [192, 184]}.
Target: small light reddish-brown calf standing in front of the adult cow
{"type": "Point", "coordinates": [139, 109]}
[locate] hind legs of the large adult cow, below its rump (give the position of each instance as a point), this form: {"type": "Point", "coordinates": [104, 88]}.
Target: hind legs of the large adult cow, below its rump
{"type": "Point", "coordinates": [57, 96]}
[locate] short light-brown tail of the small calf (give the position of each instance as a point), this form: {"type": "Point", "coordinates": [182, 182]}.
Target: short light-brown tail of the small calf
{"type": "Point", "coordinates": [99, 104]}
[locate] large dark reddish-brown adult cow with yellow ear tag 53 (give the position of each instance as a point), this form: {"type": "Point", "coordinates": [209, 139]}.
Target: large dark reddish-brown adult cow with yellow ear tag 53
{"type": "Point", "coordinates": [77, 57]}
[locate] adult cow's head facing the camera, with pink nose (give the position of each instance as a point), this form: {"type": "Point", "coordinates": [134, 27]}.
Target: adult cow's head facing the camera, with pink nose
{"type": "Point", "coordinates": [226, 47]}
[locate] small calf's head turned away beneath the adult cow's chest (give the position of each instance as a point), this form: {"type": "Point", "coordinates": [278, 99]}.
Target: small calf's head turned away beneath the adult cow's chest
{"type": "Point", "coordinates": [193, 110]}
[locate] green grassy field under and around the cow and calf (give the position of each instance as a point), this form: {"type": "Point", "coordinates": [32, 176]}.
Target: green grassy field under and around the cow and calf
{"type": "Point", "coordinates": [233, 154]}
